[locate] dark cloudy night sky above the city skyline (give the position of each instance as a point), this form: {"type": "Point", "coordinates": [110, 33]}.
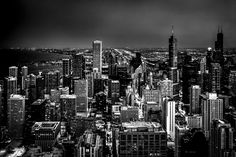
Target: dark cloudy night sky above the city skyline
{"type": "Point", "coordinates": [121, 23]}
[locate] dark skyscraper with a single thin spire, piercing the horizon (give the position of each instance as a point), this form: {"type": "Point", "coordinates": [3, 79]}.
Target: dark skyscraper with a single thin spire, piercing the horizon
{"type": "Point", "coordinates": [172, 50]}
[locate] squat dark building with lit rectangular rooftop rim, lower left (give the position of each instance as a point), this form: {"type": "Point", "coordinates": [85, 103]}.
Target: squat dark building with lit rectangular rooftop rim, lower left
{"type": "Point", "coordinates": [45, 134]}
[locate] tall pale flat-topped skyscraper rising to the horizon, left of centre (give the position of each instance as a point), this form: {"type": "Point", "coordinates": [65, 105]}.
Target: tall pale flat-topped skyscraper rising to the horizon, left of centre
{"type": "Point", "coordinates": [97, 55]}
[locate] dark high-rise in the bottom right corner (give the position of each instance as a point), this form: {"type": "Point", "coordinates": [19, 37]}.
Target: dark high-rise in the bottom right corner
{"type": "Point", "coordinates": [221, 139]}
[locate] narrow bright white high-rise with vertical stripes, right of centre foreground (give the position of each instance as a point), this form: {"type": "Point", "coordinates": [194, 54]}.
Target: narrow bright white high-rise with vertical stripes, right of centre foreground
{"type": "Point", "coordinates": [168, 118]}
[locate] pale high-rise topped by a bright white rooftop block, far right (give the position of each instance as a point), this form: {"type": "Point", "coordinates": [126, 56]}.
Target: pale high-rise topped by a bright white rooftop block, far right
{"type": "Point", "coordinates": [212, 109]}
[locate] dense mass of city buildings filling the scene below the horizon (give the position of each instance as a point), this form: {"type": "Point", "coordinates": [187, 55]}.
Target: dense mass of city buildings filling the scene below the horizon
{"type": "Point", "coordinates": [117, 102]}
